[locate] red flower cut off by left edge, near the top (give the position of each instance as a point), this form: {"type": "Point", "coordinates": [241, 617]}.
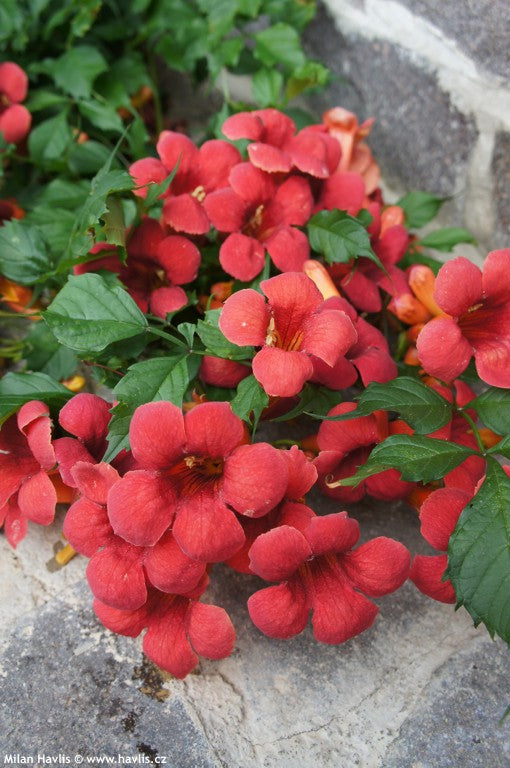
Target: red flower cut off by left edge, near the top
{"type": "Point", "coordinates": [15, 119]}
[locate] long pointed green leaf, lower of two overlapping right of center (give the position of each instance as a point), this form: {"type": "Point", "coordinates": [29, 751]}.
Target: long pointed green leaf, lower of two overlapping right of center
{"type": "Point", "coordinates": [417, 458]}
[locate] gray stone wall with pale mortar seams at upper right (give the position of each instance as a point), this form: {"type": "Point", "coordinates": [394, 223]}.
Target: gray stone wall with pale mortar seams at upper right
{"type": "Point", "coordinates": [436, 76]}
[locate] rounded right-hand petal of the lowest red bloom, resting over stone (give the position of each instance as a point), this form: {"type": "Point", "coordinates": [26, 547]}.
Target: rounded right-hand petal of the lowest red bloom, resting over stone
{"type": "Point", "coordinates": [210, 631]}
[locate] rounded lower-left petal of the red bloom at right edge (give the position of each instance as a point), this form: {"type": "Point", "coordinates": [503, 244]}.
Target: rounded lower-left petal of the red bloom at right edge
{"type": "Point", "coordinates": [442, 349]}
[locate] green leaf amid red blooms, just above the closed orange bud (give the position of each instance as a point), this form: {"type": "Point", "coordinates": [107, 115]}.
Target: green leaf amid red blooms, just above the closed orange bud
{"type": "Point", "coordinates": [340, 237]}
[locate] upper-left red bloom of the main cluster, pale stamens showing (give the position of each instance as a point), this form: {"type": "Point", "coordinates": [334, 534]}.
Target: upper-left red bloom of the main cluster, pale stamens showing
{"type": "Point", "coordinates": [200, 172]}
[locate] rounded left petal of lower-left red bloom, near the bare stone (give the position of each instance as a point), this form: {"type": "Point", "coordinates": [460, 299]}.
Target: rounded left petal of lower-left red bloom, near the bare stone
{"type": "Point", "coordinates": [87, 526]}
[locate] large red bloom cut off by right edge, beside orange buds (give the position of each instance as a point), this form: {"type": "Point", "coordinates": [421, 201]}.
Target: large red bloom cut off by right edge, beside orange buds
{"type": "Point", "coordinates": [478, 305]}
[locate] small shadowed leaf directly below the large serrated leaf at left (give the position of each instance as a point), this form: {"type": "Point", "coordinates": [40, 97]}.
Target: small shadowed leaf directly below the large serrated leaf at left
{"type": "Point", "coordinates": [44, 353]}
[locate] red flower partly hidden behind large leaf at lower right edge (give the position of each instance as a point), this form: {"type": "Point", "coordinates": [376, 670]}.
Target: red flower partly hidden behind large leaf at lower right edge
{"type": "Point", "coordinates": [439, 514]}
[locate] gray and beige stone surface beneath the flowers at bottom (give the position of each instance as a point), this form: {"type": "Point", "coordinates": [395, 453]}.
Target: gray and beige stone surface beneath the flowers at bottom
{"type": "Point", "coordinates": [69, 686]}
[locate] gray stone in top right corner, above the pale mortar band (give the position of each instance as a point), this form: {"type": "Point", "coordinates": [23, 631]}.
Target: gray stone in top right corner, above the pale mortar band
{"type": "Point", "coordinates": [480, 28]}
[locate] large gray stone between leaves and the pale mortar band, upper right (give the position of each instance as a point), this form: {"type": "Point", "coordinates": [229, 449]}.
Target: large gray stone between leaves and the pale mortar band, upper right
{"type": "Point", "coordinates": [420, 140]}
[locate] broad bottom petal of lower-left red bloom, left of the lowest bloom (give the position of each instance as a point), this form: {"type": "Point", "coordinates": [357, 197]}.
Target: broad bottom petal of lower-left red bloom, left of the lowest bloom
{"type": "Point", "coordinates": [116, 578]}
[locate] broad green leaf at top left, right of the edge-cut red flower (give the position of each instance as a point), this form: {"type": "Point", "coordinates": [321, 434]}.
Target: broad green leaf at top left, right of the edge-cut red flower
{"type": "Point", "coordinates": [75, 71]}
